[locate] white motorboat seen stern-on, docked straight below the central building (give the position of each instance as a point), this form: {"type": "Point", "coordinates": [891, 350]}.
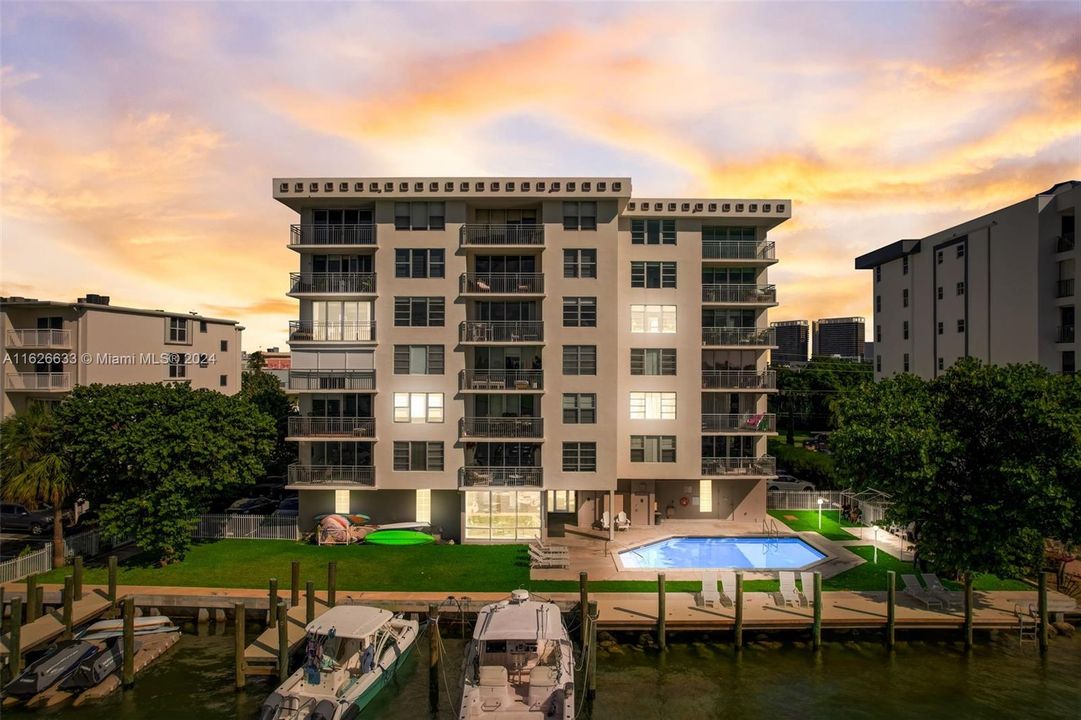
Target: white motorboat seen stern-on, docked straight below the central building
{"type": "Point", "coordinates": [521, 663]}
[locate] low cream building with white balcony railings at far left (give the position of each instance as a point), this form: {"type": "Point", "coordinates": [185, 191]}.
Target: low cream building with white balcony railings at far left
{"type": "Point", "coordinates": [49, 348]}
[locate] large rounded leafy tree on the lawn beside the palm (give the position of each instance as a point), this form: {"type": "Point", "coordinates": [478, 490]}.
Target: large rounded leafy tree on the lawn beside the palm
{"type": "Point", "coordinates": [154, 457]}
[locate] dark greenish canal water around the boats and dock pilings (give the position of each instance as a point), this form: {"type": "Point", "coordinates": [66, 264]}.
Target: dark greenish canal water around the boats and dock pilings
{"type": "Point", "coordinates": [695, 681]}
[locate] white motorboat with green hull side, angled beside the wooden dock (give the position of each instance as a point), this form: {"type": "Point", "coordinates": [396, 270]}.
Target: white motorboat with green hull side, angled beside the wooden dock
{"type": "Point", "coordinates": [353, 652]}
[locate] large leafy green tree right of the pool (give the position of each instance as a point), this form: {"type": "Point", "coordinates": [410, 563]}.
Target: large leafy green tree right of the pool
{"type": "Point", "coordinates": [985, 461]}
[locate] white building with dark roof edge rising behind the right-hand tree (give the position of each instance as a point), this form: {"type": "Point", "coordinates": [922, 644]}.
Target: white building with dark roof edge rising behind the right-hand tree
{"type": "Point", "coordinates": [999, 288]}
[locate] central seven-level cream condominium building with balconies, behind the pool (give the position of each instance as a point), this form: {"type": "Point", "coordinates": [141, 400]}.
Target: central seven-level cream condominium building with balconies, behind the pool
{"type": "Point", "coordinates": [495, 355]}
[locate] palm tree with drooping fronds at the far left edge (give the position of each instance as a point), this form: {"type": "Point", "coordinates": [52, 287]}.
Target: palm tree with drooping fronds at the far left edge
{"type": "Point", "coordinates": [33, 470]}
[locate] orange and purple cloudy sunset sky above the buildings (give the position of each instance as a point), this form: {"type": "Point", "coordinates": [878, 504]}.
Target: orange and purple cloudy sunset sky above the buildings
{"type": "Point", "coordinates": [139, 140]}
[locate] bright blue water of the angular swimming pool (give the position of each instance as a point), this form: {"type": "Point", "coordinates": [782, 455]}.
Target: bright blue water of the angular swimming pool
{"type": "Point", "coordinates": [726, 553]}
